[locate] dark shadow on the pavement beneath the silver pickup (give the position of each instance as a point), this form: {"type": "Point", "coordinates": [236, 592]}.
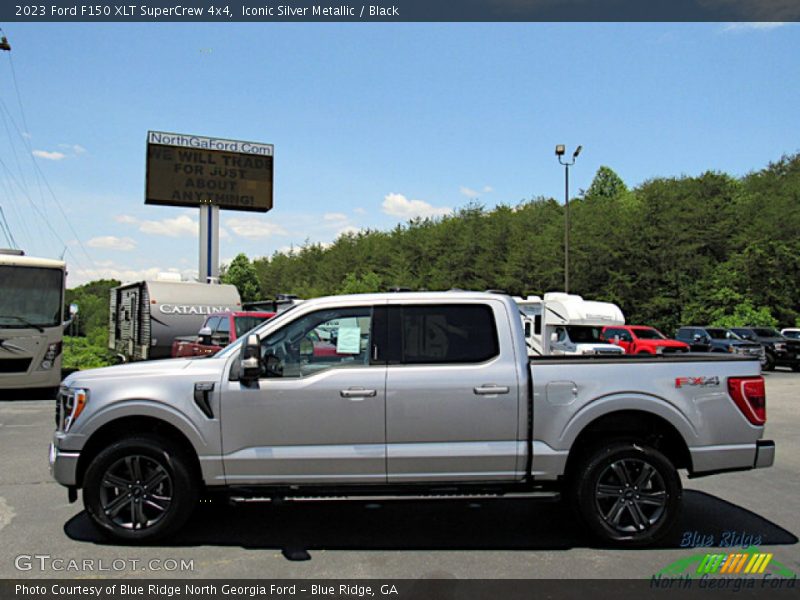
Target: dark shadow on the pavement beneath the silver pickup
{"type": "Point", "coordinates": [296, 528]}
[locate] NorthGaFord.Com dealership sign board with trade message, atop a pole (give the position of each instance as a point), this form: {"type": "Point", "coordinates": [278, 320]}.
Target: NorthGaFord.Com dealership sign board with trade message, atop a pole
{"type": "Point", "coordinates": [191, 170]}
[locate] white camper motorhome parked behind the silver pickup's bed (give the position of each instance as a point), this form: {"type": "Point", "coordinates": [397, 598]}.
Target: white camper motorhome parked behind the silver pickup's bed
{"type": "Point", "coordinates": [566, 324]}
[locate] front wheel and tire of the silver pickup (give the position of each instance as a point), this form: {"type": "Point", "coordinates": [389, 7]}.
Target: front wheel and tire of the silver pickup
{"type": "Point", "coordinates": [137, 512]}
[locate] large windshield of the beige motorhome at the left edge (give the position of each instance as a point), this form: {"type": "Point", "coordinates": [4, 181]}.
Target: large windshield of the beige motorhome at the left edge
{"type": "Point", "coordinates": [31, 296]}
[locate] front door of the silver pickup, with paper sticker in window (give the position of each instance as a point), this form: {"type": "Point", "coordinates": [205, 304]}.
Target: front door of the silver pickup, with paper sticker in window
{"type": "Point", "coordinates": [317, 414]}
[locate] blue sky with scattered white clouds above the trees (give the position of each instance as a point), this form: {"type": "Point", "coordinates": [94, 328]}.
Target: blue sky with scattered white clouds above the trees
{"type": "Point", "coordinates": [372, 123]}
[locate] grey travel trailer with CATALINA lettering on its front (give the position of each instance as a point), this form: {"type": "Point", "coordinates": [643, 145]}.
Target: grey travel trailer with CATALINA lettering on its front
{"type": "Point", "coordinates": [145, 316]}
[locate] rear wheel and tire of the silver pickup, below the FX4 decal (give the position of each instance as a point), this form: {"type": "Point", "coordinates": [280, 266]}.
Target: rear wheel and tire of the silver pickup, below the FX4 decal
{"type": "Point", "coordinates": [617, 513]}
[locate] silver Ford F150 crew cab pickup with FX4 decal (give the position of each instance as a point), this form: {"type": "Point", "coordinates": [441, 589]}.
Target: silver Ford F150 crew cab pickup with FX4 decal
{"type": "Point", "coordinates": [404, 394]}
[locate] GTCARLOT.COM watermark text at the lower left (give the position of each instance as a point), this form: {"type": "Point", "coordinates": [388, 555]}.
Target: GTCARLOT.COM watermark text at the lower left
{"type": "Point", "coordinates": [49, 563]}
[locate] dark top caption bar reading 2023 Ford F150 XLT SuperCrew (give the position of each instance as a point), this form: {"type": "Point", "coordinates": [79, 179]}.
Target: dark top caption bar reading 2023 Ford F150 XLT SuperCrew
{"type": "Point", "coordinates": [193, 11]}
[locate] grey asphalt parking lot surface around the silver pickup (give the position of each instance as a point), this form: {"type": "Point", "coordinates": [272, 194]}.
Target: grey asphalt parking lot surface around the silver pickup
{"type": "Point", "coordinates": [43, 536]}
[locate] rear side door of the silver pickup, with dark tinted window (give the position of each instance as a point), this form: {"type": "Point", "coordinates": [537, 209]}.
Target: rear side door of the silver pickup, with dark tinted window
{"type": "Point", "coordinates": [452, 393]}
